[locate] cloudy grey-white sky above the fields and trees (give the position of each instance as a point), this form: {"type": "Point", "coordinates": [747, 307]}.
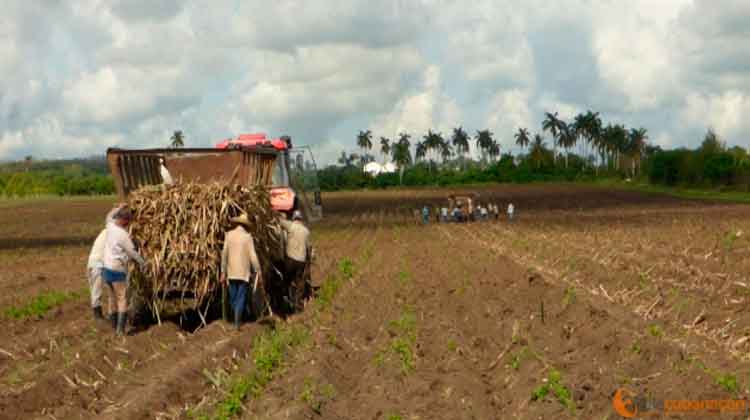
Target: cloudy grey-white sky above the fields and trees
{"type": "Point", "coordinates": [79, 76]}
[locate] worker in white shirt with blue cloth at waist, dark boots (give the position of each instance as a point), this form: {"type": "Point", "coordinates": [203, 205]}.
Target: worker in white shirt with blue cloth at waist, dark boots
{"type": "Point", "coordinates": [118, 251]}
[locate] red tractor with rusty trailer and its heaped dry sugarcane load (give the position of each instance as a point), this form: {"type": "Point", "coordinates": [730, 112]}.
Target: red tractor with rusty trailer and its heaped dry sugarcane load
{"type": "Point", "coordinates": [186, 202]}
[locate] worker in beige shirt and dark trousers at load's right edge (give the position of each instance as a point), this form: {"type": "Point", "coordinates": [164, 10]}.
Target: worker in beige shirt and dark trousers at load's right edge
{"type": "Point", "coordinates": [298, 252]}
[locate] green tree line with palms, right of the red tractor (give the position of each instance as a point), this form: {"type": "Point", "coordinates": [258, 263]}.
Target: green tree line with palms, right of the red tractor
{"type": "Point", "coordinates": [583, 148]}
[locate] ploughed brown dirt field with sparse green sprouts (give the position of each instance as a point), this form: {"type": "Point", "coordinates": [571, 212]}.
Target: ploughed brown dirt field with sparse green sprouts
{"type": "Point", "coordinates": [586, 292]}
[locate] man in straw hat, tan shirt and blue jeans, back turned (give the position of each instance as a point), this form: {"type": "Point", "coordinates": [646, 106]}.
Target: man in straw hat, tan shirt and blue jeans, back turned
{"type": "Point", "coordinates": [239, 263]}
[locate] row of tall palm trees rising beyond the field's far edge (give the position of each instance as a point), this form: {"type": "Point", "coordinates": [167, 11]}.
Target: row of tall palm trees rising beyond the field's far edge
{"type": "Point", "coordinates": [611, 146]}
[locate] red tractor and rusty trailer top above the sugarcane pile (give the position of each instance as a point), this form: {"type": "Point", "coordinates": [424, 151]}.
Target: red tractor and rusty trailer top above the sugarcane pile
{"type": "Point", "coordinates": [244, 160]}
